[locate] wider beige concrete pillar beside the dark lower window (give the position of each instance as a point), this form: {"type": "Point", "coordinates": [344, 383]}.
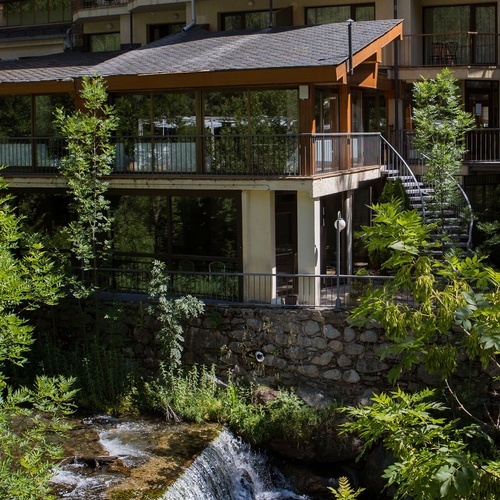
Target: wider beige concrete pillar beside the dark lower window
{"type": "Point", "coordinates": [259, 247]}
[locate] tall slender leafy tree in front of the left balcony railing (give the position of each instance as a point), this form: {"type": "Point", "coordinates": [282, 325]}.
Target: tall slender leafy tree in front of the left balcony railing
{"type": "Point", "coordinates": [85, 169]}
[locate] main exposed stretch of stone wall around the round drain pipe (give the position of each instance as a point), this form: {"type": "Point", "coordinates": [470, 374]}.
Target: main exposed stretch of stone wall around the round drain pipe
{"type": "Point", "coordinates": [316, 351]}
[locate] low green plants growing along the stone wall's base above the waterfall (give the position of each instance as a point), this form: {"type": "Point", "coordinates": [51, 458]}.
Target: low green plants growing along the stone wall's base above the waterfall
{"type": "Point", "coordinates": [198, 396]}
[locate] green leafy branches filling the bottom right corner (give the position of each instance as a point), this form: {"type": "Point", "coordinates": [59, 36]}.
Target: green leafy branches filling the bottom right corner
{"type": "Point", "coordinates": [433, 456]}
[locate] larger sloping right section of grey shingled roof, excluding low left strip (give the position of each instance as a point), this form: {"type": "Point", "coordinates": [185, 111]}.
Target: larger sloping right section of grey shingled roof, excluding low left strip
{"type": "Point", "coordinates": [198, 50]}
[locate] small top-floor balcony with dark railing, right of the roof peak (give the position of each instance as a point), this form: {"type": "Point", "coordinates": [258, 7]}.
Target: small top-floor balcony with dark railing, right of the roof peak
{"type": "Point", "coordinates": [449, 49]}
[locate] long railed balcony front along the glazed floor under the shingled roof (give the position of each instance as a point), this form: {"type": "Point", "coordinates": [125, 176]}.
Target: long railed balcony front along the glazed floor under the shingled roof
{"type": "Point", "coordinates": [290, 155]}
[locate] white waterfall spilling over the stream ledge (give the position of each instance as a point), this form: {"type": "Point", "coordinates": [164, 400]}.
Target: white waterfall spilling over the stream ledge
{"type": "Point", "coordinates": [229, 470]}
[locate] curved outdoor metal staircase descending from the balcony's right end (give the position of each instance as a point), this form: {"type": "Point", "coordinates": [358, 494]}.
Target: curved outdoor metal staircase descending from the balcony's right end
{"type": "Point", "coordinates": [453, 222]}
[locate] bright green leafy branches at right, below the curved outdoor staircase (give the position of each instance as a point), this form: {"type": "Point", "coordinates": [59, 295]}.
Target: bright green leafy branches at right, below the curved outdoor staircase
{"type": "Point", "coordinates": [459, 294]}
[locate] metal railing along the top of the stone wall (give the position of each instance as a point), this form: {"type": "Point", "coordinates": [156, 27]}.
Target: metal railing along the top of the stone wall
{"type": "Point", "coordinates": [298, 290]}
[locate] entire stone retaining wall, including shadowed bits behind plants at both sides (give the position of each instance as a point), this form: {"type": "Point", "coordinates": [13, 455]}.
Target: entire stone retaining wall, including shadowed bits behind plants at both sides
{"type": "Point", "coordinates": [316, 351]}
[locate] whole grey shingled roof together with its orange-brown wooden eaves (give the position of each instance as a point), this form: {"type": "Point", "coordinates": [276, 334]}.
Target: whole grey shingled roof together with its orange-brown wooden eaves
{"type": "Point", "coordinates": [197, 58]}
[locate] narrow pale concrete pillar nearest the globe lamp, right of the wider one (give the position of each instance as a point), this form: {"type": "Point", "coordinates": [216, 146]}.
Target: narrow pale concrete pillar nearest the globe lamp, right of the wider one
{"type": "Point", "coordinates": [308, 247]}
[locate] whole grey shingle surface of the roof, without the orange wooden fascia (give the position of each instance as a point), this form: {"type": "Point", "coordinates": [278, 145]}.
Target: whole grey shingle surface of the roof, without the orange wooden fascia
{"type": "Point", "coordinates": [200, 51]}
